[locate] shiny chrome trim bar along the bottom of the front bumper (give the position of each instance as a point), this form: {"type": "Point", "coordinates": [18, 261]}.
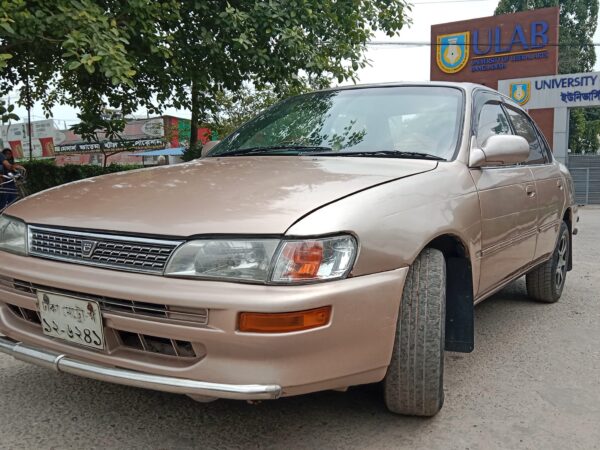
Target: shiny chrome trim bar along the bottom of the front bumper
{"type": "Point", "coordinates": [63, 363]}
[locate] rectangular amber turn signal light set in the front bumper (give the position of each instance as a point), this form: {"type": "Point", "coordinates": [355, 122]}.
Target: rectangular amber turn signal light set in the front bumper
{"type": "Point", "coordinates": [284, 322]}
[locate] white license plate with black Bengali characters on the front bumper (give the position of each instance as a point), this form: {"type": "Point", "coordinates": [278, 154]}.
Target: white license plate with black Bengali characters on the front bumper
{"type": "Point", "coordinates": [72, 319]}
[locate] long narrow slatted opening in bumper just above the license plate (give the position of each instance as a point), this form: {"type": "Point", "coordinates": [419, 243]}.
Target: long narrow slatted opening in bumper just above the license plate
{"type": "Point", "coordinates": [189, 316]}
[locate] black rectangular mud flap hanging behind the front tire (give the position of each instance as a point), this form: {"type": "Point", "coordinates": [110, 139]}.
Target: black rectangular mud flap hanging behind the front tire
{"type": "Point", "coordinates": [459, 306]}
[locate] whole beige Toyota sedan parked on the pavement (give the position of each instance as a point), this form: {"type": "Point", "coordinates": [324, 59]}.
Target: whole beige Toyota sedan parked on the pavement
{"type": "Point", "coordinates": [340, 238]}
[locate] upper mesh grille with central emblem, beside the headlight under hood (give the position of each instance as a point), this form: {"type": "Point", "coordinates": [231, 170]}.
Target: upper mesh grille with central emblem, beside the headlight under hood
{"type": "Point", "coordinates": [94, 249]}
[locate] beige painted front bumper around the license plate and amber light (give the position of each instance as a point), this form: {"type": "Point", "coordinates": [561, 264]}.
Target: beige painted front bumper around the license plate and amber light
{"type": "Point", "coordinates": [354, 348]}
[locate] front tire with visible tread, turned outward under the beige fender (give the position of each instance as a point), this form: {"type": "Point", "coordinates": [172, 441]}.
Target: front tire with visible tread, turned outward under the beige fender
{"type": "Point", "coordinates": [414, 384]}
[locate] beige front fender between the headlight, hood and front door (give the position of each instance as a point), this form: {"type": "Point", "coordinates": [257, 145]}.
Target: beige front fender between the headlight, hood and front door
{"type": "Point", "coordinates": [395, 221]}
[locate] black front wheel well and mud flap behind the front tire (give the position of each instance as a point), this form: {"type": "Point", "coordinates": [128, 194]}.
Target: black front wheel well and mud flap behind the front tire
{"type": "Point", "coordinates": [459, 293]}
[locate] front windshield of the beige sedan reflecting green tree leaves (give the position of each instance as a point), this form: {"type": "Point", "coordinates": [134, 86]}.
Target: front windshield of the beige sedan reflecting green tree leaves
{"type": "Point", "coordinates": [407, 121]}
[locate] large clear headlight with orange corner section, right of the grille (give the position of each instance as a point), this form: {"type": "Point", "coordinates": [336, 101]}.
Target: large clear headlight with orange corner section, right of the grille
{"type": "Point", "coordinates": [264, 260]}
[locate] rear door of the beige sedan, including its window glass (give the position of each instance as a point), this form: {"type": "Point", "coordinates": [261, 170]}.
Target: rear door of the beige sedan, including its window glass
{"type": "Point", "coordinates": [548, 181]}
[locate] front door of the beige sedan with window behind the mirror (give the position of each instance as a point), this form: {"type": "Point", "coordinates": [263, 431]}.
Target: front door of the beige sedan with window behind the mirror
{"type": "Point", "coordinates": [507, 196]}
